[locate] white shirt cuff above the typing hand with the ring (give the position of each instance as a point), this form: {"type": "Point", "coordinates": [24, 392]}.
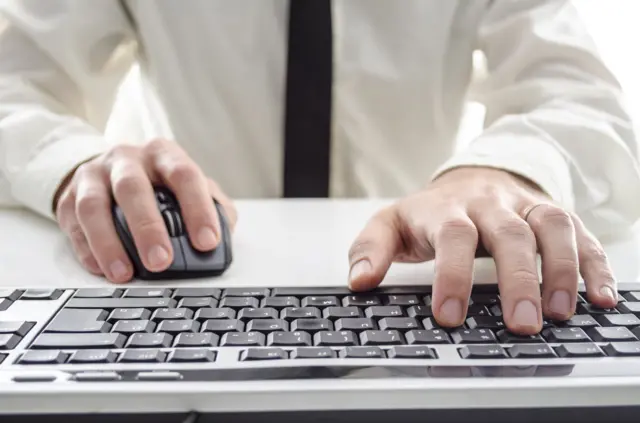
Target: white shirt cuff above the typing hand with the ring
{"type": "Point", "coordinates": [528, 157]}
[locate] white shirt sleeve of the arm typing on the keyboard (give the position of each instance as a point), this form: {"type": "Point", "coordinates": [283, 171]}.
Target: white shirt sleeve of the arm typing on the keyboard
{"type": "Point", "coordinates": [555, 113]}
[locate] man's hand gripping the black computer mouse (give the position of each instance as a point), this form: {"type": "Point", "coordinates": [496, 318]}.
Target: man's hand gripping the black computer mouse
{"type": "Point", "coordinates": [127, 174]}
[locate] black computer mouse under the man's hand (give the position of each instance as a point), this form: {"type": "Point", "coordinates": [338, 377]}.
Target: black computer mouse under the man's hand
{"type": "Point", "coordinates": [187, 261]}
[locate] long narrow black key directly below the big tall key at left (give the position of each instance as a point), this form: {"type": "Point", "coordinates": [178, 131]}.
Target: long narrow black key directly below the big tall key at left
{"type": "Point", "coordinates": [79, 341]}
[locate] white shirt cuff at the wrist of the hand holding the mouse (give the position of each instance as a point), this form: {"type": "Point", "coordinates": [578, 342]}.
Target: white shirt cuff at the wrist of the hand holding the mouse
{"type": "Point", "coordinates": [36, 186]}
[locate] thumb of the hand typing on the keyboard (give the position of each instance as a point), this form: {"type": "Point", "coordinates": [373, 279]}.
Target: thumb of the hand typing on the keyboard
{"type": "Point", "coordinates": [373, 251]}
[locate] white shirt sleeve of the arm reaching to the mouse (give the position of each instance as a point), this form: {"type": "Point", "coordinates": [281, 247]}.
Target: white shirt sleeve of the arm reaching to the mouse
{"type": "Point", "coordinates": [61, 63]}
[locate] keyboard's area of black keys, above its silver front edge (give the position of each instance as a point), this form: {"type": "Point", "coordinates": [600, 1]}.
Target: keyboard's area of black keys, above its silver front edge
{"type": "Point", "coordinates": [99, 327]}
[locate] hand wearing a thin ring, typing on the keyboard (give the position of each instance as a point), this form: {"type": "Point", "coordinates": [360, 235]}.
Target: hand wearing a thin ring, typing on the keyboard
{"type": "Point", "coordinates": [468, 209]}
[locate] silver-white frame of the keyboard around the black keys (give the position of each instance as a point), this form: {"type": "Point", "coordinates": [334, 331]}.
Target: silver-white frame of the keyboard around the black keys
{"type": "Point", "coordinates": [382, 384]}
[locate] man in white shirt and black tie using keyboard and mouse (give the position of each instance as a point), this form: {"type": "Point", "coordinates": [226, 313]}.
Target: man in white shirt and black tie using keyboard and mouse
{"type": "Point", "coordinates": [247, 89]}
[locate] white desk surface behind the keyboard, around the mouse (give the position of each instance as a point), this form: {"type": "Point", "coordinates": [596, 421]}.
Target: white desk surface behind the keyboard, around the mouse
{"type": "Point", "coordinates": [277, 243]}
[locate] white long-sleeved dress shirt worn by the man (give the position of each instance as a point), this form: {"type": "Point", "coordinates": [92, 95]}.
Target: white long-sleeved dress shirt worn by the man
{"type": "Point", "coordinates": [402, 77]}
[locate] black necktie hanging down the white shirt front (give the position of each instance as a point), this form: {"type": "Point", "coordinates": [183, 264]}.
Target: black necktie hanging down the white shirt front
{"type": "Point", "coordinates": [307, 129]}
